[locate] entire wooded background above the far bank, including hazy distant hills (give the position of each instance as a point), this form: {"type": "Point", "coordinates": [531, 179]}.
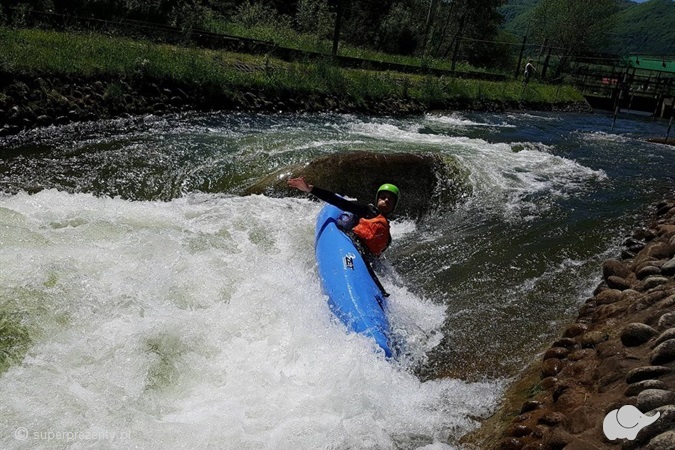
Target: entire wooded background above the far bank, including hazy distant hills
{"type": "Point", "coordinates": [481, 33]}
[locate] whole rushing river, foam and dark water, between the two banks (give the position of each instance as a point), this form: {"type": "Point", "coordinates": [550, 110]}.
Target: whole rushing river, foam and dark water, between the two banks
{"type": "Point", "coordinates": [167, 310]}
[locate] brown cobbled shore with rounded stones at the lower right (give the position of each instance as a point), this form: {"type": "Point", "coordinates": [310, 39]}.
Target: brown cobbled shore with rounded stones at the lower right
{"type": "Point", "coordinates": [619, 351]}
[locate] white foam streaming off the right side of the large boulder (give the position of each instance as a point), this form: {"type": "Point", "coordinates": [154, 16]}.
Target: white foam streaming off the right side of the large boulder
{"type": "Point", "coordinates": [503, 176]}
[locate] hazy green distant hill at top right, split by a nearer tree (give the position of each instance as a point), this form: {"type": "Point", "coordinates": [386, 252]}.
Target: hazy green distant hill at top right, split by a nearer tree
{"type": "Point", "coordinates": [645, 28]}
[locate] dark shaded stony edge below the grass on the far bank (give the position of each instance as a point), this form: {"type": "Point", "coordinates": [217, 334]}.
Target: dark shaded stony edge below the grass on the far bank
{"type": "Point", "coordinates": [29, 102]}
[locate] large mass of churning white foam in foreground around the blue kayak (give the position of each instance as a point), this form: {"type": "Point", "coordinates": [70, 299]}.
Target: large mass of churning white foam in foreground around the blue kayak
{"type": "Point", "coordinates": [200, 323]}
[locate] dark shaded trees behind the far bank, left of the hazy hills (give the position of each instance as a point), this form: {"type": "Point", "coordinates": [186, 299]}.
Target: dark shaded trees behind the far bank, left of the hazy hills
{"type": "Point", "coordinates": [404, 27]}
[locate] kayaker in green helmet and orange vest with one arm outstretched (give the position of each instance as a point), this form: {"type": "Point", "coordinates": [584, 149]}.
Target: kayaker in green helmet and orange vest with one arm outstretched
{"type": "Point", "coordinates": [370, 223]}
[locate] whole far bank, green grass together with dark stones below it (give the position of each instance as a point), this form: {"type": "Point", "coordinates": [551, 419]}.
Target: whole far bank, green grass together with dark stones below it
{"type": "Point", "coordinates": [49, 77]}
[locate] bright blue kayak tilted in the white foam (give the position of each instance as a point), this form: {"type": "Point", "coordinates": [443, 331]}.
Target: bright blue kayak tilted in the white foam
{"type": "Point", "coordinates": [353, 295]}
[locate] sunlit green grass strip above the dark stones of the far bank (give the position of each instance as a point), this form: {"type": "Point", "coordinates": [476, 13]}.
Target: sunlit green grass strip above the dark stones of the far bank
{"type": "Point", "coordinates": [41, 53]}
